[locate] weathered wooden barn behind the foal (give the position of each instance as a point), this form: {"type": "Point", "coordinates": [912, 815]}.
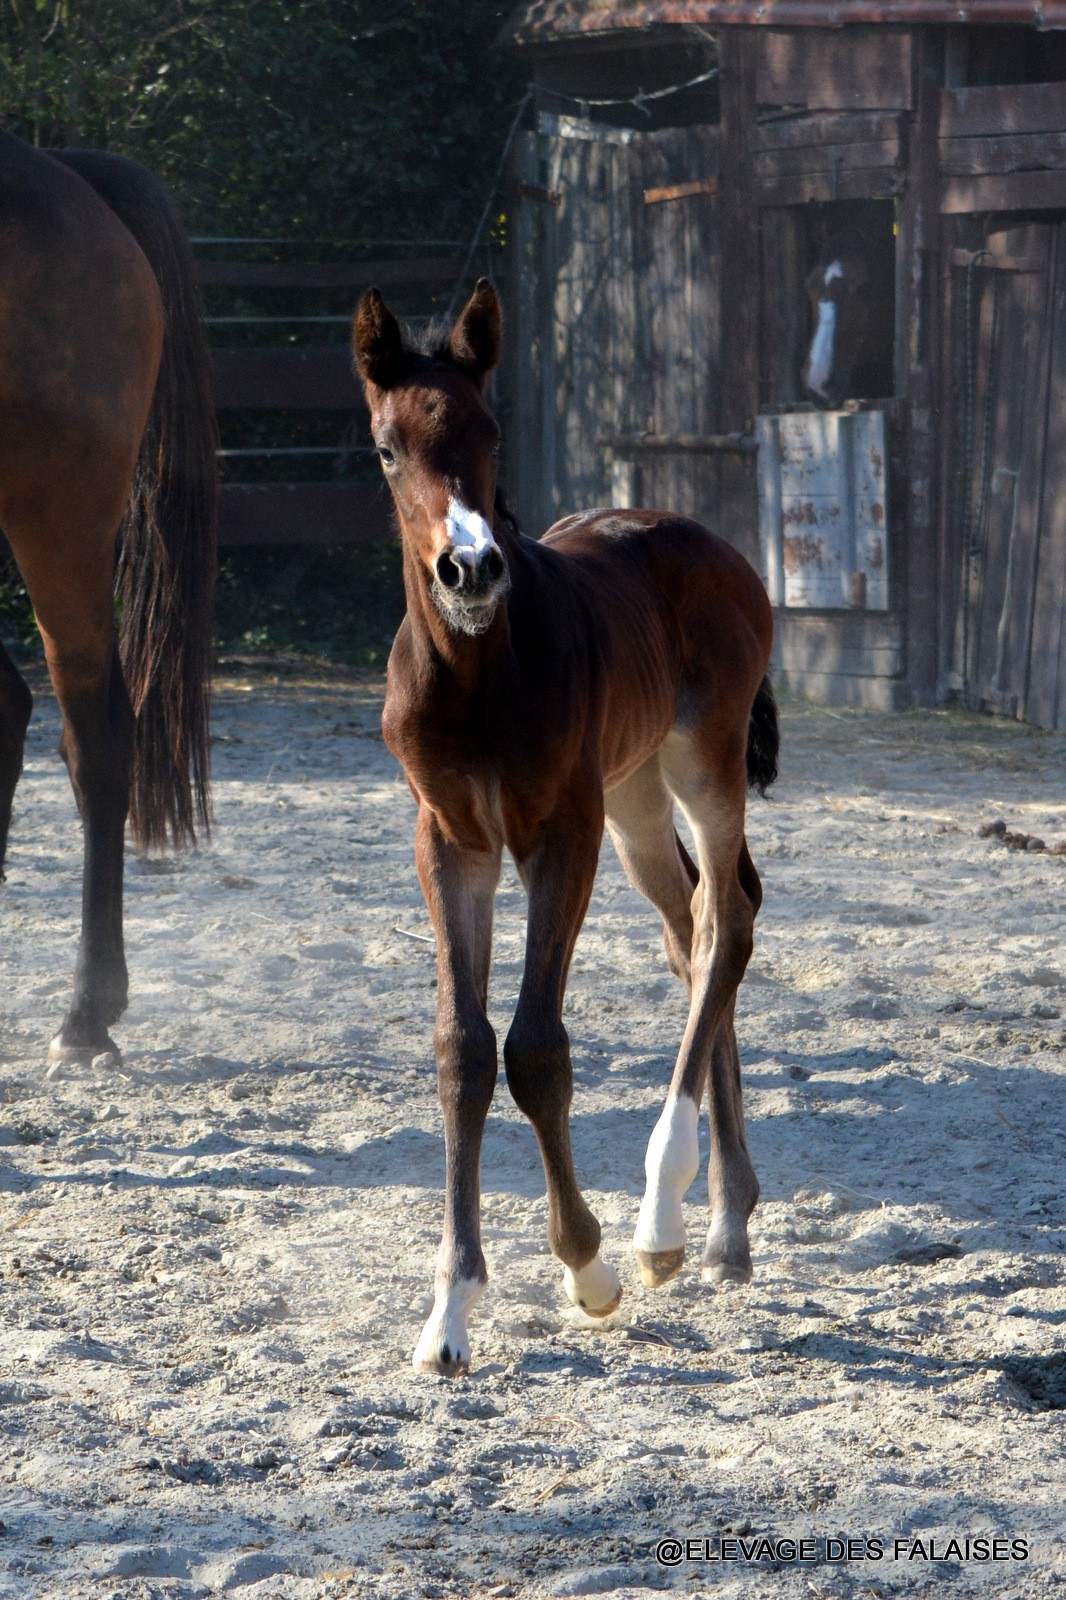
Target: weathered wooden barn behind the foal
{"type": "Point", "coordinates": [687, 166]}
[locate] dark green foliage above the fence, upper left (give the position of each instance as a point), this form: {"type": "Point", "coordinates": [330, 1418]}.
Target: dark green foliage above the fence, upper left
{"type": "Point", "coordinates": [340, 119]}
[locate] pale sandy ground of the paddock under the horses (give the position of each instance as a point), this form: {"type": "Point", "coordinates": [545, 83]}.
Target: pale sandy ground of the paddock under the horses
{"type": "Point", "coordinates": [215, 1260]}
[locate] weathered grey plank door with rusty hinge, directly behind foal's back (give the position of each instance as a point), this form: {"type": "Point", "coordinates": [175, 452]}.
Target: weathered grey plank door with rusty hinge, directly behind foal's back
{"type": "Point", "coordinates": [612, 316]}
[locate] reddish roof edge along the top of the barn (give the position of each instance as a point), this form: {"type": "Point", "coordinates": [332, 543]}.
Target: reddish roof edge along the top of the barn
{"type": "Point", "coordinates": [540, 22]}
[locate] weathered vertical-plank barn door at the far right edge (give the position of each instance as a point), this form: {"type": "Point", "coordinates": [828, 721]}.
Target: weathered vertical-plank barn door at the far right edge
{"type": "Point", "coordinates": [1003, 340]}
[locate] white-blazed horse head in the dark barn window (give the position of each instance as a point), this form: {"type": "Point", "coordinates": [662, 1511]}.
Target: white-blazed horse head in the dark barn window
{"type": "Point", "coordinates": [851, 353]}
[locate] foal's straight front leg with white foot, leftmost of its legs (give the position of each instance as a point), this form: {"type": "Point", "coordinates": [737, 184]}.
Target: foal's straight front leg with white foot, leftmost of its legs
{"type": "Point", "coordinates": [460, 886]}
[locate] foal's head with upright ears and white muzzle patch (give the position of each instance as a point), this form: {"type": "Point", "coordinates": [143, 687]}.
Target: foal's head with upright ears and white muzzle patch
{"type": "Point", "coordinates": [438, 444]}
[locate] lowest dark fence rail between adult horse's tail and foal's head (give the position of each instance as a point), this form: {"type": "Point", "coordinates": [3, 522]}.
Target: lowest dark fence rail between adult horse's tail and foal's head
{"type": "Point", "coordinates": [303, 514]}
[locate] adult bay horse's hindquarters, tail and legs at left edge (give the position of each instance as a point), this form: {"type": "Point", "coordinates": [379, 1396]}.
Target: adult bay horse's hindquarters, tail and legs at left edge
{"type": "Point", "coordinates": [108, 503]}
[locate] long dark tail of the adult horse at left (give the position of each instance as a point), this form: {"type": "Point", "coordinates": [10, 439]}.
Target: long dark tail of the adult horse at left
{"type": "Point", "coordinates": [166, 575]}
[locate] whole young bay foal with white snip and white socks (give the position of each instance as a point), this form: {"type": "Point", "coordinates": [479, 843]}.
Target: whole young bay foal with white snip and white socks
{"type": "Point", "coordinates": [537, 692]}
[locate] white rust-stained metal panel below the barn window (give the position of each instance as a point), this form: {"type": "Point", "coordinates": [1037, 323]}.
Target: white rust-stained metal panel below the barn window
{"type": "Point", "coordinates": [824, 498]}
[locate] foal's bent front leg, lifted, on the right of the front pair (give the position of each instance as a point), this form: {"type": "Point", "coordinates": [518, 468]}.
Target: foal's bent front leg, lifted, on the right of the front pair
{"type": "Point", "coordinates": [559, 876]}
